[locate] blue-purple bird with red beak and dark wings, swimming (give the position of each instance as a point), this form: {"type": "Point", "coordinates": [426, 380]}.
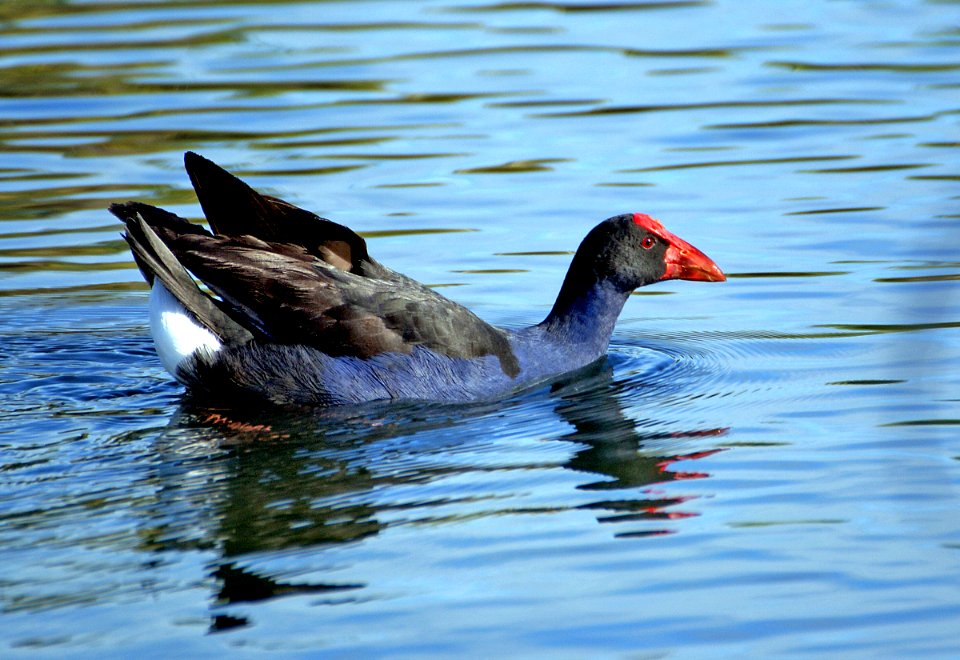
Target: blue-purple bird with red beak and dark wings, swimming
{"type": "Point", "coordinates": [301, 314]}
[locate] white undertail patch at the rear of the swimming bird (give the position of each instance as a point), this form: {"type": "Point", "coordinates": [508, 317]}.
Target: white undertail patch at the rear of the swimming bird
{"type": "Point", "coordinates": [176, 334]}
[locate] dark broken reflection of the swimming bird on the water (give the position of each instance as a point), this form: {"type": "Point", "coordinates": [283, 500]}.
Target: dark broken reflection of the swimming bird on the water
{"type": "Point", "coordinates": [273, 481]}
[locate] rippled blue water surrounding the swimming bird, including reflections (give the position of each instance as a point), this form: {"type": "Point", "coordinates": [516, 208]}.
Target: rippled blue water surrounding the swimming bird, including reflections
{"type": "Point", "coordinates": [767, 466]}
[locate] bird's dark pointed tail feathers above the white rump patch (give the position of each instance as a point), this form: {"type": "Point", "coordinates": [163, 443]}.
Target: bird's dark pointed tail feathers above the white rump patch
{"type": "Point", "coordinates": [157, 262]}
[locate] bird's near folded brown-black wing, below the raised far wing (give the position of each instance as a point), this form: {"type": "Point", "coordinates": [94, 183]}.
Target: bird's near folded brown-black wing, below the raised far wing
{"type": "Point", "coordinates": [290, 296]}
